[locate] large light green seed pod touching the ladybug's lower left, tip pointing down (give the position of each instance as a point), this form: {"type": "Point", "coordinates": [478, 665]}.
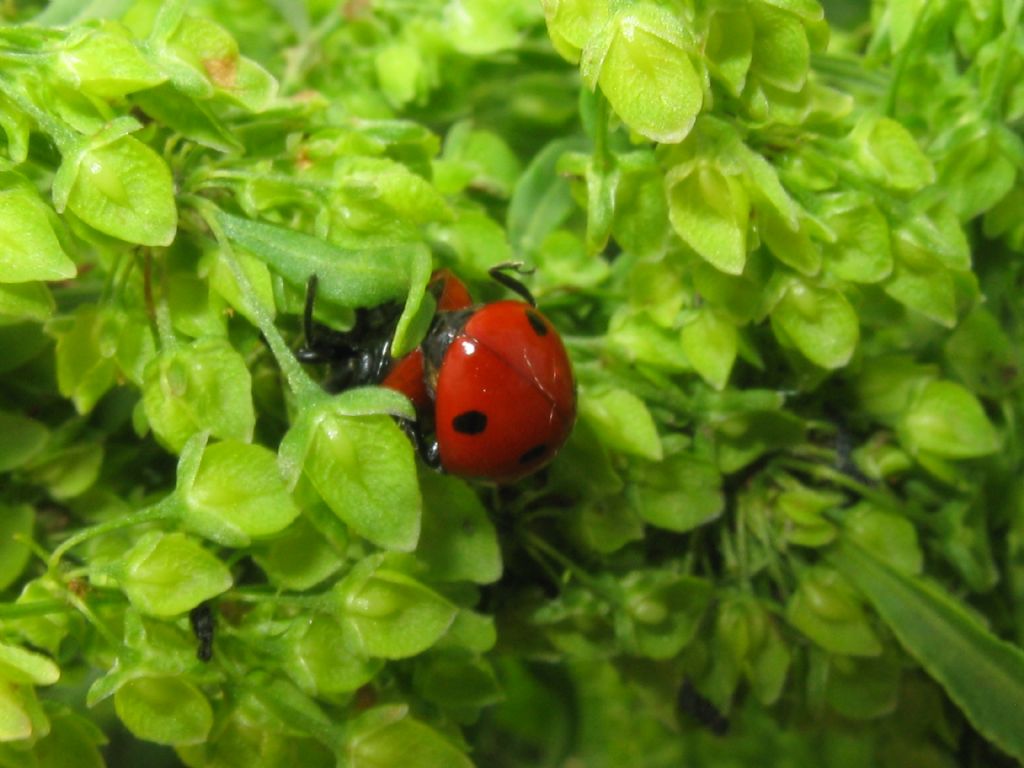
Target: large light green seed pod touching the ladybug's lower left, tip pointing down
{"type": "Point", "coordinates": [363, 467]}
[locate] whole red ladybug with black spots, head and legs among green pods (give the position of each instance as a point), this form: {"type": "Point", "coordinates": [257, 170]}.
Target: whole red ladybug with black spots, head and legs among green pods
{"type": "Point", "coordinates": [492, 383]}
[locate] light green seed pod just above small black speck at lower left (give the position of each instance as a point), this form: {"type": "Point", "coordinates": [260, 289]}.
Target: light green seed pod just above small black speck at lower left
{"type": "Point", "coordinates": [165, 575]}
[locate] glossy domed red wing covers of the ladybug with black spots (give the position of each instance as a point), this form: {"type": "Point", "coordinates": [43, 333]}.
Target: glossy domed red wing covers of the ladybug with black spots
{"type": "Point", "coordinates": [505, 400]}
